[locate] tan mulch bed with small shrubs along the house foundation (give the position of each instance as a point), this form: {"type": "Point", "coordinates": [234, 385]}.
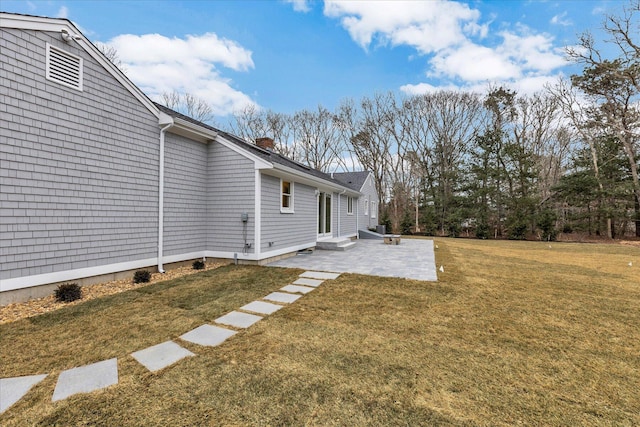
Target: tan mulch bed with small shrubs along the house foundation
{"type": "Point", "coordinates": [34, 307]}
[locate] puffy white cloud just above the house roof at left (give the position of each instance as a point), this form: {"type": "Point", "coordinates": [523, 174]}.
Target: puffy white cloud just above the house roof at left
{"type": "Point", "coordinates": [159, 64]}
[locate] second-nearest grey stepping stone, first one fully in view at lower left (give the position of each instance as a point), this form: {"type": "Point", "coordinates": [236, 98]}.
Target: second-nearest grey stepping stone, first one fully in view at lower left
{"type": "Point", "coordinates": [86, 379]}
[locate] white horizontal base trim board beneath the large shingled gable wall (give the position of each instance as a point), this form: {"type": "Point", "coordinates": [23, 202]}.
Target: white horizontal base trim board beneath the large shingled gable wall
{"type": "Point", "coordinates": [80, 273]}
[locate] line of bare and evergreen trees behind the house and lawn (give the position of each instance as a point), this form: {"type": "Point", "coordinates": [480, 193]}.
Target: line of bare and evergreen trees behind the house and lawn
{"type": "Point", "coordinates": [492, 165]}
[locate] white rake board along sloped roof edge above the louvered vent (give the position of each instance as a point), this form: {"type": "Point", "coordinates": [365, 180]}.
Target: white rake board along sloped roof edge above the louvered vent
{"type": "Point", "coordinates": [36, 23]}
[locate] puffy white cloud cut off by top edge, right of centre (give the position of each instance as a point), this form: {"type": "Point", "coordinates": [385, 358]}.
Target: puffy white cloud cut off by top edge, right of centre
{"type": "Point", "coordinates": [428, 26]}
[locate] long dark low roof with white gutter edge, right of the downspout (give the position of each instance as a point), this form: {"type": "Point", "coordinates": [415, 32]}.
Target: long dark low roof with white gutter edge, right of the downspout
{"type": "Point", "coordinates": [277, 160]}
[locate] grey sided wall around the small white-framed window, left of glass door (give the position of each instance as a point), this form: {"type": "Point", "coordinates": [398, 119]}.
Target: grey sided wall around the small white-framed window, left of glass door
{"type": "Point", "coordinates": [287, 229]}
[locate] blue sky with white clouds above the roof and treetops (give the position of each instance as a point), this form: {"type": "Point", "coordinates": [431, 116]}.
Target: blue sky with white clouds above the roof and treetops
{"type": "Point", "coordinates": [296, 54]}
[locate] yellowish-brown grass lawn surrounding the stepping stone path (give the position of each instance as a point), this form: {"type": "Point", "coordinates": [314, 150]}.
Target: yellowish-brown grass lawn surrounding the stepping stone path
{"type": "Point", "coordinates": [513, 333]}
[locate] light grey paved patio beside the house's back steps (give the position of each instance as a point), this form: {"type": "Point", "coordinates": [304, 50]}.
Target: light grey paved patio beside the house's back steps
{"type": "Point", "coordinates": [411, 259]}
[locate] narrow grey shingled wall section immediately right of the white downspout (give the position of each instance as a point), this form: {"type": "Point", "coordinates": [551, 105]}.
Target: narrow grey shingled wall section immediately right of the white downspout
{"type": "Point", "coordinates": [185, 196]}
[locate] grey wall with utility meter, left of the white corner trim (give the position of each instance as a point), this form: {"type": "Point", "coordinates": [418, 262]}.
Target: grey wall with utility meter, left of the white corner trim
{"type": "Point", "coordinates": [231, 191]}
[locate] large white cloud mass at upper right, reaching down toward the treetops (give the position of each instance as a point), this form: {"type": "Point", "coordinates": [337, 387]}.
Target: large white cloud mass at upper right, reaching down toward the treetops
{"type": "Point", "coordinates": [455, 43]}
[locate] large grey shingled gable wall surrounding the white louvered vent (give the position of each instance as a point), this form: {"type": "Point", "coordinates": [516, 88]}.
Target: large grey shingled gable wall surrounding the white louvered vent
{"type": "Point", "coordinates": [79, 169]}
